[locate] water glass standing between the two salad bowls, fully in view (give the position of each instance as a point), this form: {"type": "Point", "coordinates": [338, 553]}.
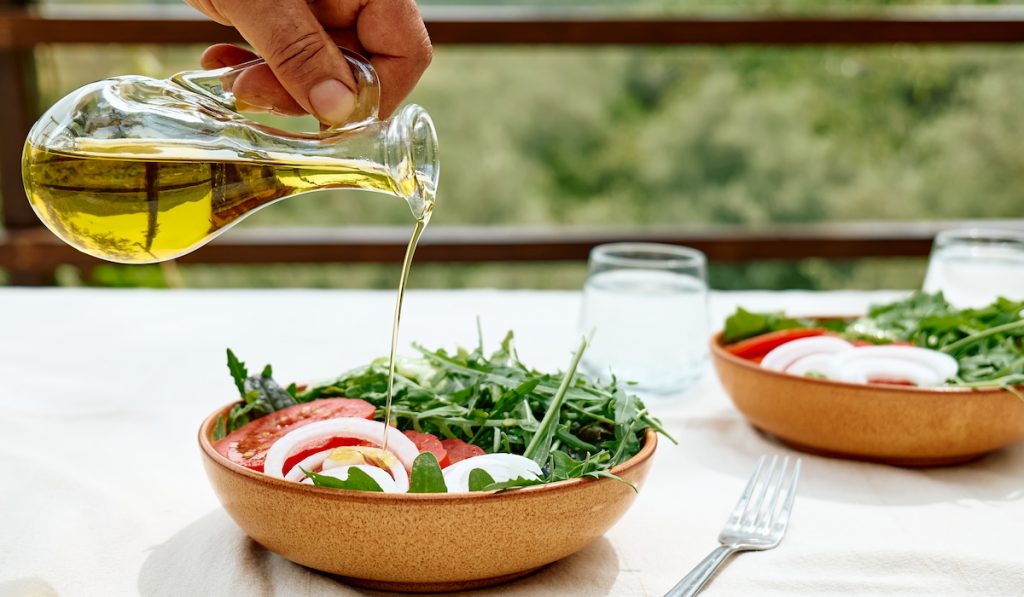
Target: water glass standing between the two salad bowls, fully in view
{"type": "Point", "coordinates": [648, 308]}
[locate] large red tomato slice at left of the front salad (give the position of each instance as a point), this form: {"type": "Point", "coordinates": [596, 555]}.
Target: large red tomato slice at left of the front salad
{"type": "Point", "coordinates": [248, 446]}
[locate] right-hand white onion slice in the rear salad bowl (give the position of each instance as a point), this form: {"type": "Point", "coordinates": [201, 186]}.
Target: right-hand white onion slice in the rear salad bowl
{"type": "Point", "coordinates": [921, 366]}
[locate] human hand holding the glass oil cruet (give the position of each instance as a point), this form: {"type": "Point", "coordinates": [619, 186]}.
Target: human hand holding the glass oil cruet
{"type": "Point", "coordinates": [306, 72]}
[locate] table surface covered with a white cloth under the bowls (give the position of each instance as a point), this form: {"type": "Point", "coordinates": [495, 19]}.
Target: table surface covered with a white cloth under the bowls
{"type": "Point", "coordinates": [103, 491]}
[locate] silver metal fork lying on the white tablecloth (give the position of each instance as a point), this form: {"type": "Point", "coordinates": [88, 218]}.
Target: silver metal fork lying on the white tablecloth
{"type": "Point", "coordinates": [758, 523]}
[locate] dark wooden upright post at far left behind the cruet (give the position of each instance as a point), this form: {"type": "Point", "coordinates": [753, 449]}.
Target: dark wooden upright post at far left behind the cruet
{"type": "Point", "coordinates": [19, 103]}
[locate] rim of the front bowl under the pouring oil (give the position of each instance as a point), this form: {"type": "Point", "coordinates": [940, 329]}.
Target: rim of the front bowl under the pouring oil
{"type": "Point", "coordinates": [648, 448]}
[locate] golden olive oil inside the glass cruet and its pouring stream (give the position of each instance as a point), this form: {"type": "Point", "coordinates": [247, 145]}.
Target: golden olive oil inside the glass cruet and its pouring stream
{"type": "Point", "coordinates": [151, 202]}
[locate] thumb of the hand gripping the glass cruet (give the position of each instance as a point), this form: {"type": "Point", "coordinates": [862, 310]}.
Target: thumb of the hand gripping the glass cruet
{"type": "Point", "coordinates": [300, 53]}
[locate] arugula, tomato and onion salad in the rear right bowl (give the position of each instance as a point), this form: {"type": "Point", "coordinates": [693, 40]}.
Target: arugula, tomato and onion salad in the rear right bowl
{"type": "Point", "coordinates": [921, 342]}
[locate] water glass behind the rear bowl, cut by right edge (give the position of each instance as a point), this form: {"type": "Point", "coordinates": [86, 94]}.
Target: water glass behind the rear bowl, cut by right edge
{"type": "Point", "coordinates": [975, 267]}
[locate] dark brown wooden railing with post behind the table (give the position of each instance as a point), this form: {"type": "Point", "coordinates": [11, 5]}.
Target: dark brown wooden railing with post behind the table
{"type": "Point", "coordinates": [30, 254]}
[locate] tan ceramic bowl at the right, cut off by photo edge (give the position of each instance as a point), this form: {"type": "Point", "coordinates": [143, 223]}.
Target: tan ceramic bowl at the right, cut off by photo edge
{"type": "Point", "coordinates": [905, 427]}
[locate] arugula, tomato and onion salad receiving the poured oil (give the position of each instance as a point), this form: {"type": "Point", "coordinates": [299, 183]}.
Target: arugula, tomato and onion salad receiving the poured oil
{"type": "Point", "coordinates": [461, 422]}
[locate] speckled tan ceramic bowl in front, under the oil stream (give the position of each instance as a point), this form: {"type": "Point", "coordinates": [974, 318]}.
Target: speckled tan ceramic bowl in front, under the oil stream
{"type": "Point", "coordinates": [422, 543]}
